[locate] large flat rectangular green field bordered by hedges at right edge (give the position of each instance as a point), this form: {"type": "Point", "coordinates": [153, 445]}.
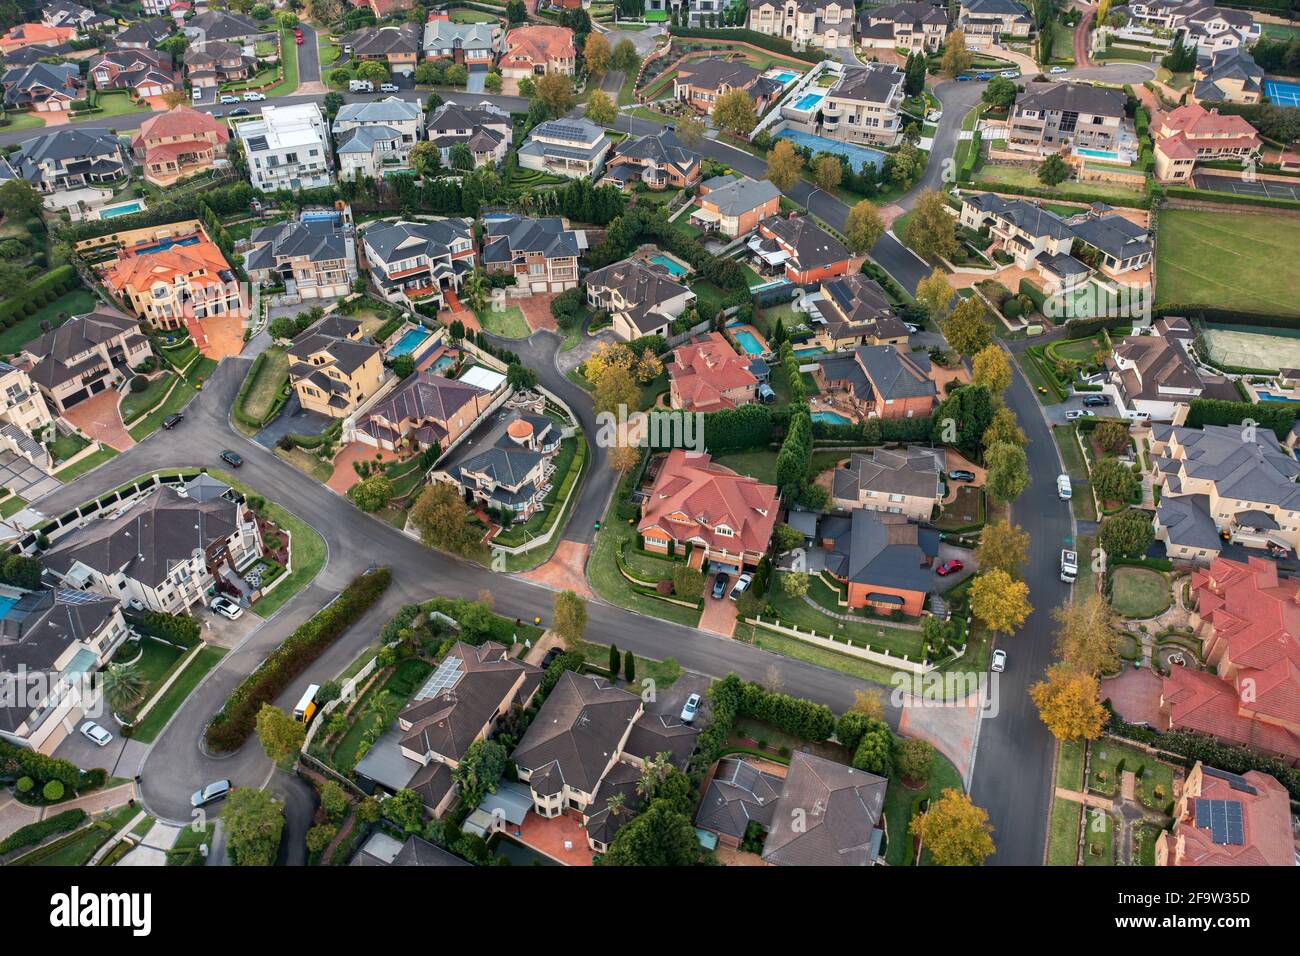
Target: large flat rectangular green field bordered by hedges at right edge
{"type": "Point", "coordinates": [1216, 258]}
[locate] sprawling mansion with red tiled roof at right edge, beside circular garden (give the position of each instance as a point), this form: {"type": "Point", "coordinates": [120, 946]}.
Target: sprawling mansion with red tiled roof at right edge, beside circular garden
{"type": "Point", "coordinates": [1246, 618]}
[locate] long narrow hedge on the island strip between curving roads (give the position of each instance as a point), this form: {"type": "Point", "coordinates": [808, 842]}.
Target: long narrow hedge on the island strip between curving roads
{"type": "Point", "coordinates": [232, 726]}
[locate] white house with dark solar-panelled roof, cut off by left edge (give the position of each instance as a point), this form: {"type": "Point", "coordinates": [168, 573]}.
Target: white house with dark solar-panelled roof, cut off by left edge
{"type": "Point", "coordinates": [53, 641]}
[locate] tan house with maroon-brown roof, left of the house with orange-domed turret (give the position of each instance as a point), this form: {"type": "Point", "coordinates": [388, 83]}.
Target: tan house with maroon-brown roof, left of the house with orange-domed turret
{"type": "Point", "coordinates": [423, 412]}
